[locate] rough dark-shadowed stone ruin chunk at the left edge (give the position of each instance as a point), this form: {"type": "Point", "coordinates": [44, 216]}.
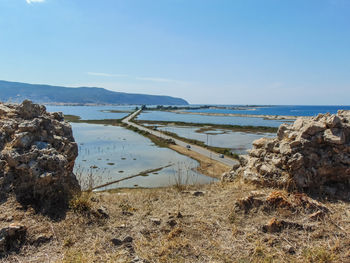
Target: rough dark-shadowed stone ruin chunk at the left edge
{"type": "Point", "coordinates": [37, 155]}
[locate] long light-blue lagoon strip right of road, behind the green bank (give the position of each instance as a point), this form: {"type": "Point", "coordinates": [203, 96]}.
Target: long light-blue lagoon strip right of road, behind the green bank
{"type": "Point", "coordinates": [192, 118]}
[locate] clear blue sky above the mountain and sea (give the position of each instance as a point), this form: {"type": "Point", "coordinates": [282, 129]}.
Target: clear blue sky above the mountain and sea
{"type": "Point", "coordinates": [293, 52]}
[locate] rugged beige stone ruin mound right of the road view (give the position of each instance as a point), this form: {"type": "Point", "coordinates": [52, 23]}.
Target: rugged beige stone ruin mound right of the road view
{"type": "Point", "coordinates": [312, 154]}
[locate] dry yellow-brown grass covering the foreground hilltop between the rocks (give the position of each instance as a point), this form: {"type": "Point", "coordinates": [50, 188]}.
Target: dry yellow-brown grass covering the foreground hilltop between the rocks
{"type": "Point", "coordinates": [205, 228]}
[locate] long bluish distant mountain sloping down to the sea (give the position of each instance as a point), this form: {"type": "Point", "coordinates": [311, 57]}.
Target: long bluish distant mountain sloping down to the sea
{"type": "Point", "coordinates": [17, 92]}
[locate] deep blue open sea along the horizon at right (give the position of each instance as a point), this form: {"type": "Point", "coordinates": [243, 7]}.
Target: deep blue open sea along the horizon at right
{"type": "Point", "coordinates": [279, 110]}
